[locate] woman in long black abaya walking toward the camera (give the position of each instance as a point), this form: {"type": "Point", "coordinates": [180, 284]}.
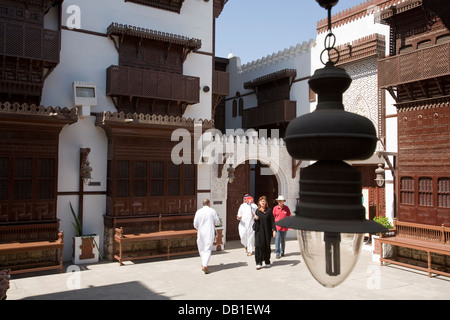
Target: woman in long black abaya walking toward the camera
{"type": "Point", "coordinates": [264, 231]}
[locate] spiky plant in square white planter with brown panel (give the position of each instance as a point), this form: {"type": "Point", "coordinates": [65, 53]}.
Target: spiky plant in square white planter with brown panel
{"type": "Point", "coordinates": [85, 247]}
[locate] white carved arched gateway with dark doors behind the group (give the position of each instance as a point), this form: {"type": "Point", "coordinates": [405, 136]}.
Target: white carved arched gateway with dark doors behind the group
{"type": "Point", "coordinates": [262, 167]}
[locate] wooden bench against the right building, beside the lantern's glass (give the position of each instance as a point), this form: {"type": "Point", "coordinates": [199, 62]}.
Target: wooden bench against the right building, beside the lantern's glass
{"type": "Point", "coordinates": [427, 238]}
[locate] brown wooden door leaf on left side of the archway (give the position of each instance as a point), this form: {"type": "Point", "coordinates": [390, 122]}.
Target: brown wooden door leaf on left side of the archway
{"type": "Point", "coordinates": [236, 190]}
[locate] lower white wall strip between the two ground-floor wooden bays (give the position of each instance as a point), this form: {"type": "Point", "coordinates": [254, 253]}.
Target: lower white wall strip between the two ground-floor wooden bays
{"type": "Point", "coordinates": [82, 134]}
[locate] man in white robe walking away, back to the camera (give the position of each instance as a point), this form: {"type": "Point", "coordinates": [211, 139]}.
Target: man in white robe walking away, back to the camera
{"type": "Point", "coordinates": [205, 220]}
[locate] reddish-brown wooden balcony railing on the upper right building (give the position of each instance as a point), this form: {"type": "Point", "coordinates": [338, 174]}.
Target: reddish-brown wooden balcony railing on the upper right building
{"type": "Point", "coordinates": [426, 63]}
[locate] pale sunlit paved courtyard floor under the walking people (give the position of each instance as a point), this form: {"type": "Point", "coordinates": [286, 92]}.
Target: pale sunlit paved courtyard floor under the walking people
{"type": "Point", "coordinates": [233, 277]}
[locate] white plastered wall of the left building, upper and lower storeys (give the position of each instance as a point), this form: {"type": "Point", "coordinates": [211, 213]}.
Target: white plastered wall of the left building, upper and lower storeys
{"type": "Point", "coordinates": [86, 53]}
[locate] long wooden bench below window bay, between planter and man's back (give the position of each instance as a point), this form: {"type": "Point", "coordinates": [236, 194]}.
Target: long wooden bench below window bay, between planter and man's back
{"type": "Point", "coordinates": [165, 231]}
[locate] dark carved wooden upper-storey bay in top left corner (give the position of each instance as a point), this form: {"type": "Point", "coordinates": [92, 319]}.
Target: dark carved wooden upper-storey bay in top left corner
{"type": "Point", "coordinates": [29, 52]}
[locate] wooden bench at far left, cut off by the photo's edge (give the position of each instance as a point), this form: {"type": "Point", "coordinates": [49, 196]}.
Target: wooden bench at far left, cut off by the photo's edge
{"type": "Point", "coordinates": [28, 237]}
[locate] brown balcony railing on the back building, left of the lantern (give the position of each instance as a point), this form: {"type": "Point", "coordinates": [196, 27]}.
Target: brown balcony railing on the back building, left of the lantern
{"type": "Point", "coordinates": [281, 111]}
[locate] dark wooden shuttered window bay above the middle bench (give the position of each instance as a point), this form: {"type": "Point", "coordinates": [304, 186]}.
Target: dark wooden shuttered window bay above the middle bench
{"type": "Point", "coordinates": [163, 188]}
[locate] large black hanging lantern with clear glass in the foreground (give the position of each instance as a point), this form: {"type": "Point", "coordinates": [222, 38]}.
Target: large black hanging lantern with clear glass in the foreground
{"type": "Point", "coordinates": [330, 218]}
